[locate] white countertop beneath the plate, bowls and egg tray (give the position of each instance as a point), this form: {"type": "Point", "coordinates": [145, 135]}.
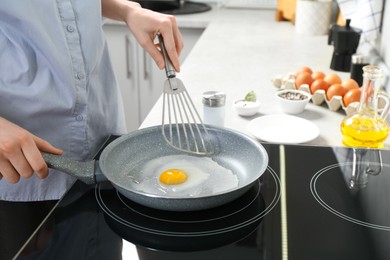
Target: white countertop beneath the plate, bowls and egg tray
{"type": "Point", "coordinates": [242, 50]}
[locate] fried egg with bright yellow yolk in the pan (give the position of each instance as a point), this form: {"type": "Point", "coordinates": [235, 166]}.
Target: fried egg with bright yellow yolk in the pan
{"type": "Point", "coordinates": [184, 176]}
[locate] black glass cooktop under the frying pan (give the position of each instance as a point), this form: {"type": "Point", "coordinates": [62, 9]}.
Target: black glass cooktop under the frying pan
{"type": "Point", "coordinates": [311, 203]}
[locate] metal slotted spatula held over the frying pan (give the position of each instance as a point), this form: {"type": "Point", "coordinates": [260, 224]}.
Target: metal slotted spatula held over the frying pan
{"type": "Point", "coordinates": [182, 127]}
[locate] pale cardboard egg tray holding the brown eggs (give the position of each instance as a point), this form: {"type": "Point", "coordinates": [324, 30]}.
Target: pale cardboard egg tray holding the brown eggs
{"type": "Point", "coordinates": [318, 97]}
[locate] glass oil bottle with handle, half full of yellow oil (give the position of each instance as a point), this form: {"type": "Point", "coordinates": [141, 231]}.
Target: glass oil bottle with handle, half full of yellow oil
{"type": "Point", "coordinates": [368, 127]}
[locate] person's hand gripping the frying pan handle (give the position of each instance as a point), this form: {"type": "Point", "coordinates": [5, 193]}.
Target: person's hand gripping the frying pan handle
{"type": "Point", "coordinates": [20, 153]}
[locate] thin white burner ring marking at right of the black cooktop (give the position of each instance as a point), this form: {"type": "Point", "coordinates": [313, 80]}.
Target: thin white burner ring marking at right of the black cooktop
{"type": "Point", "coordinates": [313, 185]}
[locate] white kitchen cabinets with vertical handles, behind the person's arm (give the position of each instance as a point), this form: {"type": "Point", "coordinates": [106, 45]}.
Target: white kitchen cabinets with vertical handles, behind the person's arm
{"type": "Point", "coordinates": [139, 78]}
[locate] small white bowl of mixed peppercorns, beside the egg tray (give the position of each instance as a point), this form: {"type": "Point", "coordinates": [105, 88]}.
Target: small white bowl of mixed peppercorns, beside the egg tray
{"type": "Point", "coordinates": [293, 101]}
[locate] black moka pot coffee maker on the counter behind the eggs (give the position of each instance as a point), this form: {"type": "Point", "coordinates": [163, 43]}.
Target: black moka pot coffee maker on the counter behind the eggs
{"type": "Point", "coordinates": [345, 40]}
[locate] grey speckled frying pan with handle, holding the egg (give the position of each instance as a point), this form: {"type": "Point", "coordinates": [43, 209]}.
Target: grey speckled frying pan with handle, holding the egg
{"type": "Point", "coordinates": [236, 151]}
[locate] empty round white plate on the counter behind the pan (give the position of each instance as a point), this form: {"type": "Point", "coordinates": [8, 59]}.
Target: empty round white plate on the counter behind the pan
{"type": "Point", "coordinates": [283, 129]}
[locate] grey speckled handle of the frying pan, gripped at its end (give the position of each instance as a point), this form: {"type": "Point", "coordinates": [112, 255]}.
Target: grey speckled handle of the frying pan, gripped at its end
{"type": "Point", "coordinates": [84, 171]}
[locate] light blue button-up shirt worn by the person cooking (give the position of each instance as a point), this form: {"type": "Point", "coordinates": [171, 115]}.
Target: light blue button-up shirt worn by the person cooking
{"type": "Point", "coordinates": [56, 80]}
